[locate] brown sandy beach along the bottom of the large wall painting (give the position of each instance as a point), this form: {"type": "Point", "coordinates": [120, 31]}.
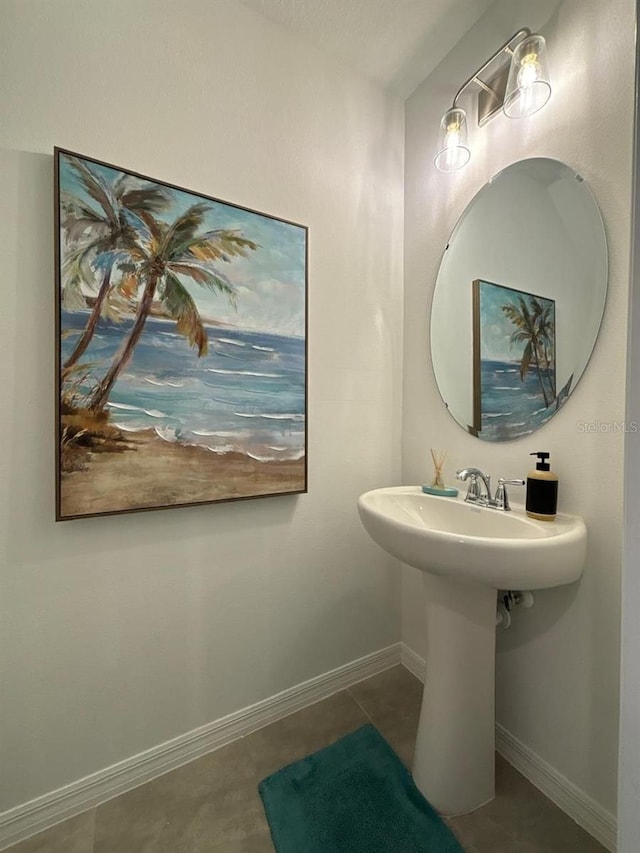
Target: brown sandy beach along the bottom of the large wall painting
{"type": "Point", "coordinates": [153, 473]}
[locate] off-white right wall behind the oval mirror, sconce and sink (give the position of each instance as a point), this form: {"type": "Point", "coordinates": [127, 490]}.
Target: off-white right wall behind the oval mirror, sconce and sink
{"type": "Point", "coordinates": [558, 666]}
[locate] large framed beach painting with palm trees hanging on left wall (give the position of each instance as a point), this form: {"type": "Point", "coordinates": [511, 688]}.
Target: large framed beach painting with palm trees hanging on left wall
{"type": "Point", "coordinates": [181, 345]}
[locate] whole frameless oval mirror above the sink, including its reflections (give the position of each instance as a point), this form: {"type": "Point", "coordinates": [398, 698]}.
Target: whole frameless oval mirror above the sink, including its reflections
{"type": "Point", "coordinates": [519, 299]}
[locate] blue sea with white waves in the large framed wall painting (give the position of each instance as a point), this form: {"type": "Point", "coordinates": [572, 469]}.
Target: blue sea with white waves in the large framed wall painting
{"type": "Point", "coordinates": [247, 395]}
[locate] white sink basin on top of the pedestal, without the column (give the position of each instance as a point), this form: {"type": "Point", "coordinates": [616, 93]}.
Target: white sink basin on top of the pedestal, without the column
{"type": "Point", "coordinates": [447, 536]}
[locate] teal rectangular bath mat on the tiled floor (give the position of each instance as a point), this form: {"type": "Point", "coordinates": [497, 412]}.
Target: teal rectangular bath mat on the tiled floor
{"type": "Point", "coordinates": [355, 796]}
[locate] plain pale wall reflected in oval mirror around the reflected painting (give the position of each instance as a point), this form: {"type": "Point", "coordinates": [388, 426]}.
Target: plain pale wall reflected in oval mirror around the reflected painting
{"type": "Point", "coordinates": [554, 246]}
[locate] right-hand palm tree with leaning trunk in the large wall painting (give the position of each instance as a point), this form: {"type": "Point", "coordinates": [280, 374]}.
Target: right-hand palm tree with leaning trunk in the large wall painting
{"type": "Point", "coordinates": [162, 256]}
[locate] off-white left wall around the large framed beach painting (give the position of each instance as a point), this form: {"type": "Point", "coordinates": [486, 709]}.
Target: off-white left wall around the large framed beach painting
{"type": "Point", "coordinates": [120, 633]}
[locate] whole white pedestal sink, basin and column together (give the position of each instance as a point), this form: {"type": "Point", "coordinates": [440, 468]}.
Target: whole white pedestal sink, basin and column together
{"type": "Point", "coordinates": [466, 552]}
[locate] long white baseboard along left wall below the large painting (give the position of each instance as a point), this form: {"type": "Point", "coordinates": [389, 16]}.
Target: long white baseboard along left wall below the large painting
{"type": "Point", "coordinates": [27, 819]}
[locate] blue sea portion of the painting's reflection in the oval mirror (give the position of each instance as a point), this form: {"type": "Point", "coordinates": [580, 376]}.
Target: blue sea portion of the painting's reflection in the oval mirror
{"type": "Point", "coordinates": [511, 407]}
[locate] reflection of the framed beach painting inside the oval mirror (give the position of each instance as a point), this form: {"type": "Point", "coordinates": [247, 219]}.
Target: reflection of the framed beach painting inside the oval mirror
{"type": "Point", "coordinates": [514, 361]}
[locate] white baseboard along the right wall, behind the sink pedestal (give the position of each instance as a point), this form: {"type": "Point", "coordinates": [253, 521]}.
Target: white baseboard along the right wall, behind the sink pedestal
{"type": "Point", "coordinates": [578, 805]}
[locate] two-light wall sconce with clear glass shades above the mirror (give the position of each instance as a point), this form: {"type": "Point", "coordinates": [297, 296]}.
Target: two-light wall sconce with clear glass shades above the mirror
{"type": "Point", "coordinates": [515, 79]}
